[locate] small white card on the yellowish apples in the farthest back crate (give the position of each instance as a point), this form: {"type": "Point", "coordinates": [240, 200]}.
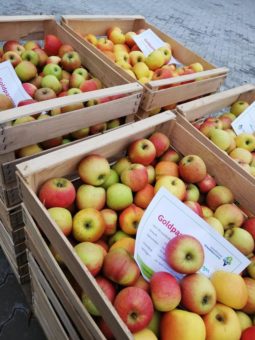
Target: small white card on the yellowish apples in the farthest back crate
{"type": "Point", "coordinates": [148, 42]}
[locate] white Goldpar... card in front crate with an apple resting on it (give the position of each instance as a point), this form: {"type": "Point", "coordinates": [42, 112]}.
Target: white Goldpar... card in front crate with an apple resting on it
{"type": "Point", "coordinates": [167, 217]}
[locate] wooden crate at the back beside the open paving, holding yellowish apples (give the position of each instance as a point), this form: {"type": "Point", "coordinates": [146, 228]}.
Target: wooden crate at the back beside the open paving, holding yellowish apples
{"type": "Point", "coordinates": [210, 79]}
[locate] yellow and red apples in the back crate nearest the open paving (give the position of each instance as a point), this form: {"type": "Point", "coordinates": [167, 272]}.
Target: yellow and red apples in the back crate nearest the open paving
{"type": "Point", "coordinates": [122, 50]}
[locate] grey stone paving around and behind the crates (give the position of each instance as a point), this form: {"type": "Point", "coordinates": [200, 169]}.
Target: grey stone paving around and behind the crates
{"type": "Point", "coordinates": [223, 32]}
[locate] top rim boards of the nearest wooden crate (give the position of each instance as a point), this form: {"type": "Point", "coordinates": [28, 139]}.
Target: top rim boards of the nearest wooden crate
{"type": "Point", "coordinates": [33, 173]}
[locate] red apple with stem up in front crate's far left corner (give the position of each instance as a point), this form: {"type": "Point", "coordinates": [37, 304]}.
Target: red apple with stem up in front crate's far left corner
{"type": "Point", "coordinates": [57, 192]}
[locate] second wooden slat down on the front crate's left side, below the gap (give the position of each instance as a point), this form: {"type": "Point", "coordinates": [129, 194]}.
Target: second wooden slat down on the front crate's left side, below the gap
{"type": "Point", "coordinates": [58, 281]}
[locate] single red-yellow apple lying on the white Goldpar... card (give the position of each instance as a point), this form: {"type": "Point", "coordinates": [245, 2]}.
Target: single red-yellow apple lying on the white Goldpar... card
{"type": "Point", "coordinates": [184, 254]}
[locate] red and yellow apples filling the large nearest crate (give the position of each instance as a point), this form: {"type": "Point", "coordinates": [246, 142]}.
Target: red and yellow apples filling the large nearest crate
{"type": "Point", "coordinates": [101, 215]}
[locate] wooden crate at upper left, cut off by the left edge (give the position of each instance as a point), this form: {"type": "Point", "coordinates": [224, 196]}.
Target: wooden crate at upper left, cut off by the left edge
{"type": "Point", "coordinates": [13, 138]}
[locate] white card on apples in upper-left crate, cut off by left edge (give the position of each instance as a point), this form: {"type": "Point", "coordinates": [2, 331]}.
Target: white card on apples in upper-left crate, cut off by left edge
{"type": "Point", "coordinates": [10, 85]}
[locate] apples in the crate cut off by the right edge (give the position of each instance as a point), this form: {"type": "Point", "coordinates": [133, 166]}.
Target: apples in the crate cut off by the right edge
{"type": "Point", "coordinates": [219, 130]}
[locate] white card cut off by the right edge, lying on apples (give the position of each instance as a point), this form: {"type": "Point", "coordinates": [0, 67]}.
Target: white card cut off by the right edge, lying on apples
{"type": "Point", "coordinates": [245, 122]}
